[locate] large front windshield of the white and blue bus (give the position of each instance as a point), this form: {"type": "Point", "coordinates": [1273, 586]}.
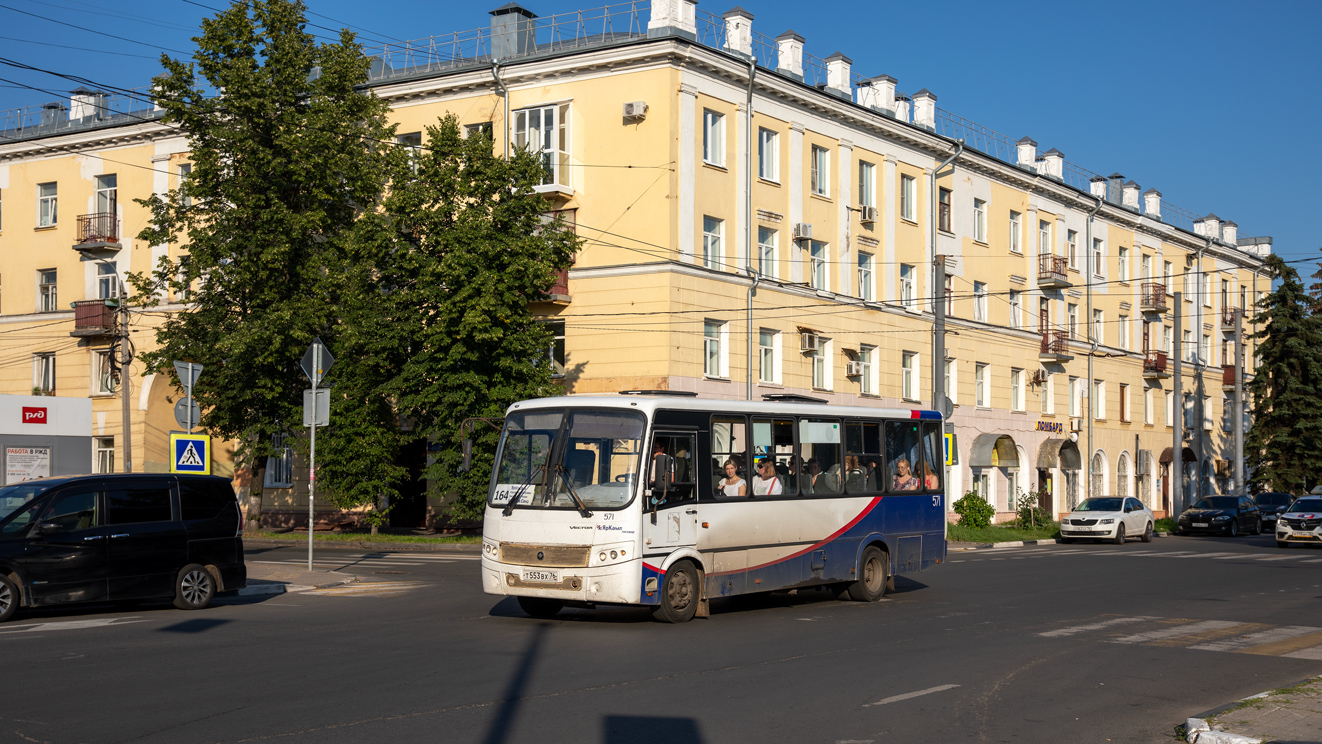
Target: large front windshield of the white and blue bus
{"type": "Point", "coordinates": [547, 455]}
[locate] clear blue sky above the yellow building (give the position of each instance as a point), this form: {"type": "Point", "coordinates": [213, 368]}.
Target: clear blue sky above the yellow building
{"type": "Point", "coordinates": [1208, 102]}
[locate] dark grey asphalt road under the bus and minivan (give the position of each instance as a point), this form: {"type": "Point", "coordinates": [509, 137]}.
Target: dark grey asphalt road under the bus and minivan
{"type": "Point", "coordinates": [1085, 643]}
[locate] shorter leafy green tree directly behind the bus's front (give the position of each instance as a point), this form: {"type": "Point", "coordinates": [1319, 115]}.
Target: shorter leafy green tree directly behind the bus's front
{"type": "Point", "coordinates": [461, 250]}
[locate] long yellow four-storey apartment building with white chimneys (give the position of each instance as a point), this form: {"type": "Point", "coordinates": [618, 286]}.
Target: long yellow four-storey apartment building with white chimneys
{"type": "Point", "coordinates": [787, 248]}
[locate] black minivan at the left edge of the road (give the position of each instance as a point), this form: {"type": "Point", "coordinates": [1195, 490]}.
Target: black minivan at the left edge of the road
{"type": "Point", "coordinates": [120, 537]}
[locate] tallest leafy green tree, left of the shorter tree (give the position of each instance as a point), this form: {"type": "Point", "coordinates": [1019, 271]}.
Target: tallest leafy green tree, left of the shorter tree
{"type": "Point", "coordinates": [285, 153]}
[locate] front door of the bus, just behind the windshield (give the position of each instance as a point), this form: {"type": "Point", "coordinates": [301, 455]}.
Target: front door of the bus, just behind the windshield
{"type": "Point", "coordinates": [672, 509]}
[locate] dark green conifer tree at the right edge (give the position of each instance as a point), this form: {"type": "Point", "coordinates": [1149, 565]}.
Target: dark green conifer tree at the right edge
{"type": "Point", "coordinates": [1283, 445]}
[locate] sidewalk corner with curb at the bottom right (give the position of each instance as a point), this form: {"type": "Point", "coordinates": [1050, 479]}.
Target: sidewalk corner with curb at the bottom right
{"type": "Point", "coordinates": [1290, 716]}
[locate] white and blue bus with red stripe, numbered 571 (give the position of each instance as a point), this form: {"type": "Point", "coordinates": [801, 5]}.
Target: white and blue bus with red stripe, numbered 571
{"type": "Point", "coordinates": [668, 502]}
